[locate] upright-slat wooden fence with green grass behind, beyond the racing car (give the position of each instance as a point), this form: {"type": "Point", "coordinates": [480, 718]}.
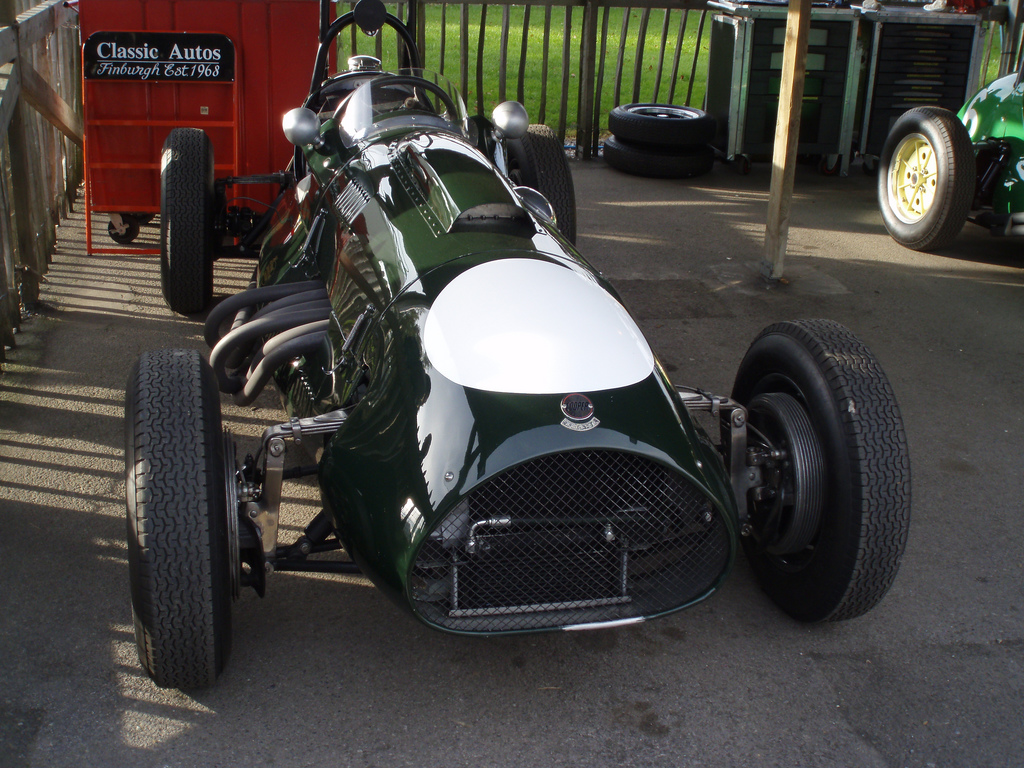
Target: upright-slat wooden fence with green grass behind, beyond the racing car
{"type": "Point", "coordinates": [569, 61]}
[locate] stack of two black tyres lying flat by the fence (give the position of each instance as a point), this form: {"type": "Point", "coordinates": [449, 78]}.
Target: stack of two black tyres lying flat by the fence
{"type": "Point", "coordinates": [661, 141]}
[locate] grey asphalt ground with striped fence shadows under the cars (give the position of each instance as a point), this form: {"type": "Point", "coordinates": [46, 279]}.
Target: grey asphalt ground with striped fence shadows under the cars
{"type": "Point", "coordinates": [326, 672]}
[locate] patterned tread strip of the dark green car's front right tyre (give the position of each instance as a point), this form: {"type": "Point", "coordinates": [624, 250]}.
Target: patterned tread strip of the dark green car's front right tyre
{"type": "Point", "coordinates": [879, 464]}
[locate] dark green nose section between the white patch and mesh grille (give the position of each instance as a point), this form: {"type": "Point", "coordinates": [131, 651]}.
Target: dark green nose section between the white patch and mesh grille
{"type": "Point", "coordinates": [424, 443]}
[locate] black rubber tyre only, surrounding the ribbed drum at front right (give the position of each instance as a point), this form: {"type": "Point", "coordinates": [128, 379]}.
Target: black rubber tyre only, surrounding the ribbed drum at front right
{"type": "Point", "coordinates": [851, 561]}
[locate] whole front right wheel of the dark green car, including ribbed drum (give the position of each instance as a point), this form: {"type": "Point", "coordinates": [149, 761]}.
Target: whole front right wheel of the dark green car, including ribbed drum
{"type": "Point", "coordinates": [817, 394]}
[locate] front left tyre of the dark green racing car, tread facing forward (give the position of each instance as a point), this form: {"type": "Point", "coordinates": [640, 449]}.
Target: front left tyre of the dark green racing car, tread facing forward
{"type": "Point", "coordinates": [179, 548]}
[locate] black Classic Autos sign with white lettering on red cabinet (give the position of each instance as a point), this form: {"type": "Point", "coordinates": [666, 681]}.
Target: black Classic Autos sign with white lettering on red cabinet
{"type": "Point", "coordinates": [159, 57]}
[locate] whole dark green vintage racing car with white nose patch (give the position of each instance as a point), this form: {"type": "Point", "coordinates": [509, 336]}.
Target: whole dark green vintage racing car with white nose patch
{"type": "Point", "coordinates": [498, 449]}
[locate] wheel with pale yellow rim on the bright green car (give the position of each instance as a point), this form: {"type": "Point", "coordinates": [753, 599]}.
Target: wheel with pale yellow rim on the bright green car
{"type": "Point", "coordinates": [927, 188]}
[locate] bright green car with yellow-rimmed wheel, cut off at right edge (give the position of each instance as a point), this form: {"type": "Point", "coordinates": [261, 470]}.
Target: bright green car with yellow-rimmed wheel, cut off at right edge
{"type": "Point", "coordinates": [938, 170]}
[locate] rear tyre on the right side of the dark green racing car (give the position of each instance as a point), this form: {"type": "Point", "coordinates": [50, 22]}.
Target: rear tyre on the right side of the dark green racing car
{"type": "Point", "coordinates": [538, 160]}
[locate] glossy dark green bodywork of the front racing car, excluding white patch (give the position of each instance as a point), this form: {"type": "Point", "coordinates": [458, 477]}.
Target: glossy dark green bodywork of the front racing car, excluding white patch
{"type": "Point", "coordinates": [388, 226]}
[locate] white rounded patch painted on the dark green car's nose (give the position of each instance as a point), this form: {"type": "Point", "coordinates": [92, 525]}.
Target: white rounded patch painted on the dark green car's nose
{"type": "Point", "coordinates": [533, 327]}
